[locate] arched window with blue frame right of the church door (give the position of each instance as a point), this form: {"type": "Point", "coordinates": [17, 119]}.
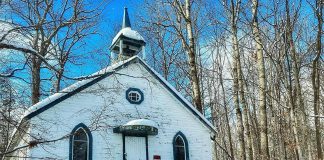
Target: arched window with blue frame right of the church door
{"type": "Point", "coordinates": [180, 147]}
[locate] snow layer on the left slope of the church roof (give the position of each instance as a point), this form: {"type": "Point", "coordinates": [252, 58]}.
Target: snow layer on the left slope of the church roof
{"type": "Point", "coordinates": [73, 87]}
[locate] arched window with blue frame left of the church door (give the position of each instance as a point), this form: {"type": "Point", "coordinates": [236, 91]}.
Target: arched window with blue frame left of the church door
{"type": "Point", "coordinates": [81, 143]}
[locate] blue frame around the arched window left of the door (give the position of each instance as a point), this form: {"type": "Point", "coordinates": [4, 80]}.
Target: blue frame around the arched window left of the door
{"type": "Point", "coordinates": [89, 140]}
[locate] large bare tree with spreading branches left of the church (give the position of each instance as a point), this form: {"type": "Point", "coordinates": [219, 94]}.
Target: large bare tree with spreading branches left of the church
{"type": "Point", "coordinates": [45, 25]}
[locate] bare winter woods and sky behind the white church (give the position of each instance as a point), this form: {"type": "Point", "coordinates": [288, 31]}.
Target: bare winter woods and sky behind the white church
{"type": "Point", "coordinates": [254, 68]}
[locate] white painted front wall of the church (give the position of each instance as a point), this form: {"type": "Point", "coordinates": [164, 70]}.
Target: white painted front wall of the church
{"type": "Point", "coordinates": [103, 106]}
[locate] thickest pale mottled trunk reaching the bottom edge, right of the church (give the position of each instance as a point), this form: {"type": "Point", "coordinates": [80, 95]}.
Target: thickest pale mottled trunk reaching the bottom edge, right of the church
{"type": "Point", "coordinates": [262, 84]}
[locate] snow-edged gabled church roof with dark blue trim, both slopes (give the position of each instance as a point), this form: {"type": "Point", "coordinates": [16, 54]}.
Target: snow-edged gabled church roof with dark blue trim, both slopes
{"type": "Point", "coordinates": [81, 85]}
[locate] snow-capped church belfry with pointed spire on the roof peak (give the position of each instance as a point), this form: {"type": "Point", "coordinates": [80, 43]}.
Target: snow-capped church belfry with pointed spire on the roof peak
{"type": "Point", "coordinates": [127, 42]}
